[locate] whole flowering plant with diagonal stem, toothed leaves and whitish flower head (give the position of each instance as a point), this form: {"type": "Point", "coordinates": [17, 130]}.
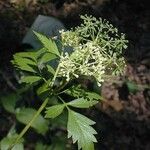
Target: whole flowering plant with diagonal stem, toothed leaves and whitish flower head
{"type": "Point", "coordinates": [95, 51]}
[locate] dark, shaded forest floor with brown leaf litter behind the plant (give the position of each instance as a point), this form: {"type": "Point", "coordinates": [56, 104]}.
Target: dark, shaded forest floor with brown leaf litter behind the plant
{"type": "Point", "coordinates": [123, 120]}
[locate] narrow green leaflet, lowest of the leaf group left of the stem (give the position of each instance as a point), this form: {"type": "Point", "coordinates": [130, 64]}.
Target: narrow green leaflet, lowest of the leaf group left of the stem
{"type": "Point", "coordinates": [30, 79]}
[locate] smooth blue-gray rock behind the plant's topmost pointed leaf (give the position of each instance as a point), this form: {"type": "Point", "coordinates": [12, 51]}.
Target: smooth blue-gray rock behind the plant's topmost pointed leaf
{"type": "Point", "coordinates": [48, 26]}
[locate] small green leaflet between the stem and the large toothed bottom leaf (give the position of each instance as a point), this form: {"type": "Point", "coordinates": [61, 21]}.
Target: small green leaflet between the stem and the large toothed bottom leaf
{"type": "Point", "coordinates": [54, 111]}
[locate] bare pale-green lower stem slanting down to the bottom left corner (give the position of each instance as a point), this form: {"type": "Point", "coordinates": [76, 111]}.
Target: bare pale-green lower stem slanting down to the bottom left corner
{"type": "Point", "coordinates": [29, 124]}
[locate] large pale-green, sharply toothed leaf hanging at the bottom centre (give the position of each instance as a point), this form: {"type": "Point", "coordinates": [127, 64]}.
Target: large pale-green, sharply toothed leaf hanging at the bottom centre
{"type": "Point", "coordinates": [79, 128]}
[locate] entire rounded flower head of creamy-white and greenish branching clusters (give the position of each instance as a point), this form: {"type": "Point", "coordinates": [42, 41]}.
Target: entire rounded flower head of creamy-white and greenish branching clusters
{"type": "Point", "coordinates": [97, 50]}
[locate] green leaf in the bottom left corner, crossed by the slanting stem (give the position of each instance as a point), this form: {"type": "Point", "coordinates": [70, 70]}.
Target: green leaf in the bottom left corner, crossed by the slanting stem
{"type": "Point", "coordinates": [9, 140]}
